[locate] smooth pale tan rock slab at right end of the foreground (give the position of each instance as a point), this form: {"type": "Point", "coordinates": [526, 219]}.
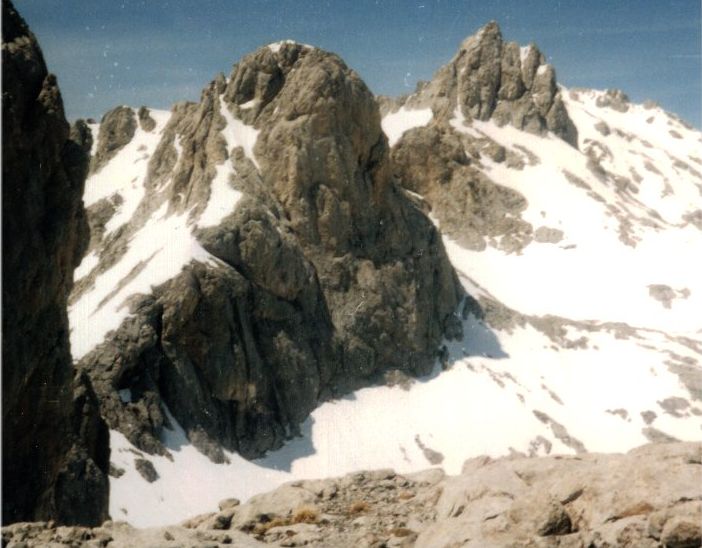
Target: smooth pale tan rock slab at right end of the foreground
{"type": "Point", "coordinates": [588, 500]}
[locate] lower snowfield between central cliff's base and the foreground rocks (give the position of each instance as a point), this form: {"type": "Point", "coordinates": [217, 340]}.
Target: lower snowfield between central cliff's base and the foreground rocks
{"type": "Point", "coordinates": [503, 392]}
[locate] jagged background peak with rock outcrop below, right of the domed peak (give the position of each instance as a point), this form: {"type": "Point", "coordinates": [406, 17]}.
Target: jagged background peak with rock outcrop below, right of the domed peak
{"type": "Point", "coordinates": [487, 79]}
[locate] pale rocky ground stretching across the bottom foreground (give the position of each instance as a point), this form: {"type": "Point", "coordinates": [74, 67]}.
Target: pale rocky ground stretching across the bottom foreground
{"type": "Point", "coordinates": [651, 496]}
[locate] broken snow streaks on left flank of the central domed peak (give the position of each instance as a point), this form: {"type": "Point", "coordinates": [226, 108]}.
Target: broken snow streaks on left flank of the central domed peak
{"type": "Point", "coordinates": [162, 246]}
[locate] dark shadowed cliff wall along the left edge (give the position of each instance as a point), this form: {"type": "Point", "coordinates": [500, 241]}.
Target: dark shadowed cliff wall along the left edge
{"type": "Point", "coordinates": [55, 453]}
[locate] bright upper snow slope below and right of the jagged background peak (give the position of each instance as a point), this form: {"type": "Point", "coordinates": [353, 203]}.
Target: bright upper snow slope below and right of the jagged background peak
{"type": "Point", "coordinates": [591, 273]}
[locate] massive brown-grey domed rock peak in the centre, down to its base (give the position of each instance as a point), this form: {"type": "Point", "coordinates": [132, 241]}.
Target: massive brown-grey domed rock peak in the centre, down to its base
{"type": "Point", "coordinates": [325, 274]}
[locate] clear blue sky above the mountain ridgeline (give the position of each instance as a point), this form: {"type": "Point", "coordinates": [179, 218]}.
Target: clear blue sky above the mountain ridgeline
{"type": "Point", "coordinates": [156, 52]}
